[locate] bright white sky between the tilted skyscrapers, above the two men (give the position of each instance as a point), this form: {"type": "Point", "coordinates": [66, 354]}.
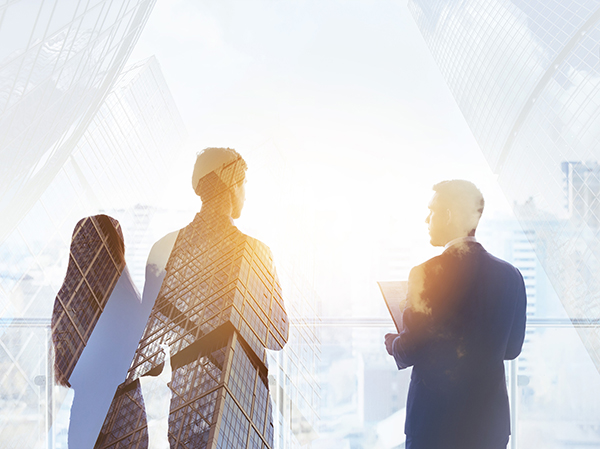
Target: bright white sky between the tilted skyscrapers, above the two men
{"type": "Point", "coordinates": [340, 112]}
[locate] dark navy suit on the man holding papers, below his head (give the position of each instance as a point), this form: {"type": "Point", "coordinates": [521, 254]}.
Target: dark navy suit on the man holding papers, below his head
{"type": "Point", "coordinates": [465, 316]}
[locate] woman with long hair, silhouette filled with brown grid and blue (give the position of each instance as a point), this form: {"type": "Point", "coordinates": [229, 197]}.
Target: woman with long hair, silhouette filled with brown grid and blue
{"type": "Point", "coordinates": [97, 321]}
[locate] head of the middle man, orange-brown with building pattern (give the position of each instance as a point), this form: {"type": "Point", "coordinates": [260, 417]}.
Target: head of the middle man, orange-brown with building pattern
{"type": "Point", "coordinates": [219, 178]}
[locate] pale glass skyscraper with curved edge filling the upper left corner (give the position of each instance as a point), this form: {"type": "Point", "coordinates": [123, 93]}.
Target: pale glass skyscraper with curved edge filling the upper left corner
{"type": "Point", "coordinates": [58, 61]}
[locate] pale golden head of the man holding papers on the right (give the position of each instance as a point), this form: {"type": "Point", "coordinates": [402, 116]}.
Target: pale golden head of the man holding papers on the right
{"type": "Point", "coordinates": [454, 211]}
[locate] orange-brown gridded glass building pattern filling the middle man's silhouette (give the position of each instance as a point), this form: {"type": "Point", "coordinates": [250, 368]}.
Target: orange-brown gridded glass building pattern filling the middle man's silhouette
{"type": "Point", "coordinates": [218, 308]}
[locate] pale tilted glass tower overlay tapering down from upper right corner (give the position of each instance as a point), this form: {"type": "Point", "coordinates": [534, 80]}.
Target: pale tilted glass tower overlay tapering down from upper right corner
{"type": "Point", "coordinates": [526, 76]}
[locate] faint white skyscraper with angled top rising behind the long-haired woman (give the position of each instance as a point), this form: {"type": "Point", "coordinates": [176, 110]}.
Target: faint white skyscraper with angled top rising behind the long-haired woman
{"type": "Point", "coordinates": [116, 167]}
